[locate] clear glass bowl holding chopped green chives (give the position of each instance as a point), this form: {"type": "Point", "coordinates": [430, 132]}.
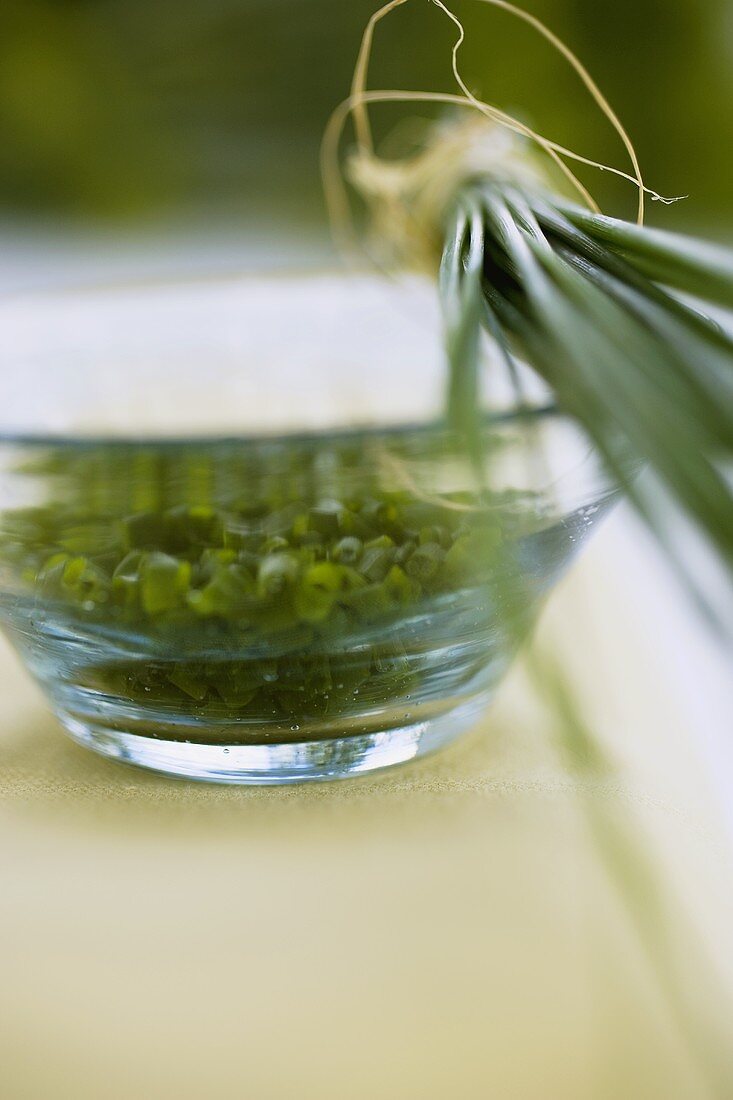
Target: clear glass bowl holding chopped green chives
{"type": "Point", "coordinates": [237, 543]}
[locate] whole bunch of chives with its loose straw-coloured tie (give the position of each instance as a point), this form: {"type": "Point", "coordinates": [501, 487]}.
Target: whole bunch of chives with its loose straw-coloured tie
{"type": "Point", "coordinates": [598, 307]}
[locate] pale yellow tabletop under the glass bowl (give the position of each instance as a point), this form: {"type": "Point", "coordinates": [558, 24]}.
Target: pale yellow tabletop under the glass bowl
{"type": "Point", "coordinates": [511, 919]}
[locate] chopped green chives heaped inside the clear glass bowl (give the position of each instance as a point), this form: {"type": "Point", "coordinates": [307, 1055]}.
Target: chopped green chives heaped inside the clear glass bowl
{"type": "Point", "coordinates": [234, 573]}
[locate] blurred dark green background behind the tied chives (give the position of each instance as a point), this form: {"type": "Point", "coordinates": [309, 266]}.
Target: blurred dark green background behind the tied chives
{"type": "Point", "coordinates": [149, 112]}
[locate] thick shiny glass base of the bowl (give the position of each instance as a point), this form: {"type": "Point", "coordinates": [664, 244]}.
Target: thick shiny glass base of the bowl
{"type": "Point", "coordinates": [272, 765]}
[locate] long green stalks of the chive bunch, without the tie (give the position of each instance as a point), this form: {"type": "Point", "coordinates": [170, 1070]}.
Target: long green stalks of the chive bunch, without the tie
{"type": "Point", "coordinates": [590, 304]}
